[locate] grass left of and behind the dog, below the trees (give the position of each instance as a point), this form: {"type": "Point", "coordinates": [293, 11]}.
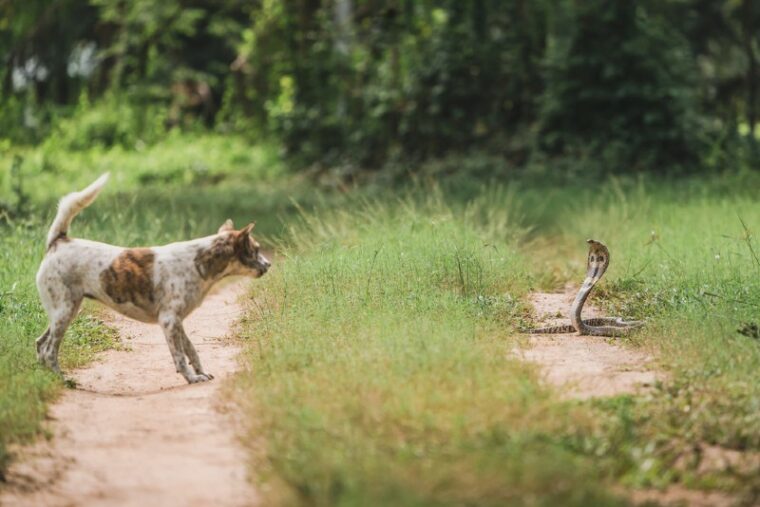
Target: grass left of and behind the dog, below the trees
{"type": "Point", "coordinates": [146, 202]}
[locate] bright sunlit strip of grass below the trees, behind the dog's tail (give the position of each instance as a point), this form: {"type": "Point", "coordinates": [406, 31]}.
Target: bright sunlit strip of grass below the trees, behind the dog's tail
{"type": "Point", "coordinates": [179, 162]}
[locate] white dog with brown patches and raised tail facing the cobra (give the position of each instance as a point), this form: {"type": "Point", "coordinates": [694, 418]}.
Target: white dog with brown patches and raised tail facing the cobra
{"type": "Point", "coordinates": [161, 284]}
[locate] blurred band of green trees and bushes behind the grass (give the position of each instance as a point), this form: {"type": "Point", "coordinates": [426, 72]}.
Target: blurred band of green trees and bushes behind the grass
{"type": "Point", "coordinates": [368, 87]}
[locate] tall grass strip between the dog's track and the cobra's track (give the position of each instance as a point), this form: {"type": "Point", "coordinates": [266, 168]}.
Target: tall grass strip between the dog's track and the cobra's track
{"type": "Point", "coordinates": [381, 371]}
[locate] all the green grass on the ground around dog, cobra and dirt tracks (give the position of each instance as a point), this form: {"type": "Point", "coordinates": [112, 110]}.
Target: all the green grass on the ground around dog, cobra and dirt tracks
{"type": "Point", "coordinates": [379, 346]}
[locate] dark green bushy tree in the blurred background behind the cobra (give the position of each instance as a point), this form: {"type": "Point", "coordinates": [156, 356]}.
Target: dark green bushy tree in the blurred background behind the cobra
{"type": "Point", "coordinates": [619, 88]}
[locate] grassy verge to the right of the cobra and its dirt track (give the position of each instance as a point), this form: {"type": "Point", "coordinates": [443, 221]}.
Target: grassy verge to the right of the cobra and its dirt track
{"type": "Point", "coordinates": [686, 258]}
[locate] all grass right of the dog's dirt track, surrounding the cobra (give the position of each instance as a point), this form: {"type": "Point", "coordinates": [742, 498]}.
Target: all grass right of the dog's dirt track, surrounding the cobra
{"type": "Point", "coordinates": [380, 349]}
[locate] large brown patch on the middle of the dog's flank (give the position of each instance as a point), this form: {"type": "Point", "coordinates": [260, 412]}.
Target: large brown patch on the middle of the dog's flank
{"type": "Point", "coordinates": [129, 278]}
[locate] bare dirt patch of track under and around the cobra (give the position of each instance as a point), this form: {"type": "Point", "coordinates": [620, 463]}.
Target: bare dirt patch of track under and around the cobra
{"type": "Point", "coordinates": [583, 366]}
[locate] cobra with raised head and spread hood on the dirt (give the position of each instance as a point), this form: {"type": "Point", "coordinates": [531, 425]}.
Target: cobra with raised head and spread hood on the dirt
{"type": "Point", "coordinates": [598, 261]}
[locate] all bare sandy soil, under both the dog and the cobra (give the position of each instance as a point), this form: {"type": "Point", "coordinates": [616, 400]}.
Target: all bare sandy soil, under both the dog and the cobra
{"type": "Point", "coordinates": [134, 433]}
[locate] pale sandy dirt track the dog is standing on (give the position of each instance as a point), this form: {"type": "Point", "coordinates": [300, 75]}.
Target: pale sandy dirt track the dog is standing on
{"type": "Point", "coordinates": [135, 434]}
